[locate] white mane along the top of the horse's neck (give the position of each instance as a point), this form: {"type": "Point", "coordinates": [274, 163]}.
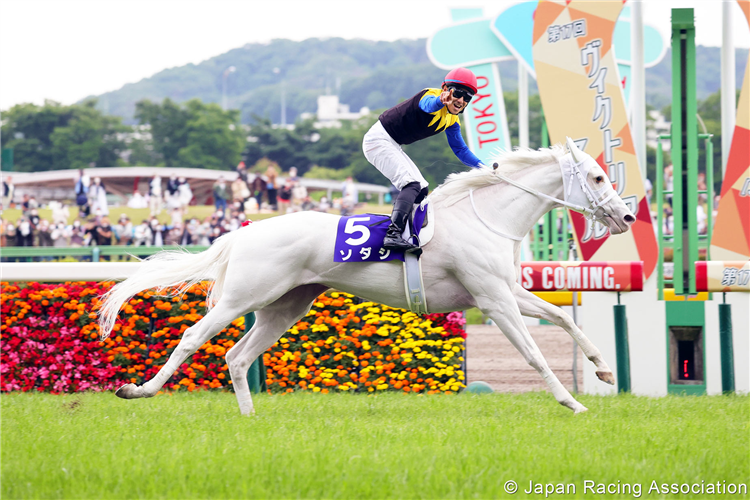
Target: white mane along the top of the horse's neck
{"type": "Point", "coordinates": [457, 186]}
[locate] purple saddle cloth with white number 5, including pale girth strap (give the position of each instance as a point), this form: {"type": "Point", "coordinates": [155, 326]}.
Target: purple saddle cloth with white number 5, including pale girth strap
{"type": "Point", "coordinates": [359, 238]}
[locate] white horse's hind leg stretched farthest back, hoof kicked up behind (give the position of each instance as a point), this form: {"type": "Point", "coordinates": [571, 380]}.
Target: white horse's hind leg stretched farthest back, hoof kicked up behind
{"type": "Point", "coordinates": [213, 322]}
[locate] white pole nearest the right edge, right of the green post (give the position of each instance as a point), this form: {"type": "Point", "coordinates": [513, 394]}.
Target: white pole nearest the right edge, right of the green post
{"type": "Point", "coordinates": [728, 88]}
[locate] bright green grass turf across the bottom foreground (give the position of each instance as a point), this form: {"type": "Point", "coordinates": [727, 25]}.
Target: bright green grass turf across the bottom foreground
{"type": "Point", "coordinates": [362, 446]}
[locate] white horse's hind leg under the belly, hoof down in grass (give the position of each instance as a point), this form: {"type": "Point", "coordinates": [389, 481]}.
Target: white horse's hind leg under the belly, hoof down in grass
{"type": "Point", "coordinates": [271, 323]}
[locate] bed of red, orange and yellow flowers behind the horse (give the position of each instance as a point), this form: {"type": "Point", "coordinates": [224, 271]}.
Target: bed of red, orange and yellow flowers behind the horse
{"type": "Point", "coordinates": [49, 342]}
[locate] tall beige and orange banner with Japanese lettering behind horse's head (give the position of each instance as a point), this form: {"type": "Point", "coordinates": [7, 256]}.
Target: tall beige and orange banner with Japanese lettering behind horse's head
{"type": "Point", "coordinates": [582, 97]}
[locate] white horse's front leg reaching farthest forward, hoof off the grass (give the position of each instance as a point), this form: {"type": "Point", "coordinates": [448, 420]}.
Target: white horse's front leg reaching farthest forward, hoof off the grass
{"type": "Point", "coordinates": [534, 307]}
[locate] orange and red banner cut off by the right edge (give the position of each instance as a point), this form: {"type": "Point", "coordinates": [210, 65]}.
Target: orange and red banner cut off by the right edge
{"type": "Point", "coordinates": [731, 237]}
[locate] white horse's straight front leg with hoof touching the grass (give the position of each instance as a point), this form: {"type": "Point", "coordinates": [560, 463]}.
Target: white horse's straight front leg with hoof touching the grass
{"type": "Point", "coordinates": [499, 303]}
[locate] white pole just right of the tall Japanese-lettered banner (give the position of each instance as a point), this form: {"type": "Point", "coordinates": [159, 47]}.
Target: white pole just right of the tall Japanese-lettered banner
{"type": "Point", "coordinates": [638, 85]}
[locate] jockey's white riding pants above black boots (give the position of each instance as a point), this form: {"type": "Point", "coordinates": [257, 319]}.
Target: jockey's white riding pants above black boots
{"type": "Point", "coordinates": [386, 154]}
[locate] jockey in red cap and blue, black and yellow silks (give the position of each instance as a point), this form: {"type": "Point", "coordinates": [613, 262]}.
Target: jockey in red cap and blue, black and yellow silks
{"type": "Point", "coordinates": [429, 112]}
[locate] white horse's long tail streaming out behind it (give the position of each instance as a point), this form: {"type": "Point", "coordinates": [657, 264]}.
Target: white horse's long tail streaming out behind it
{"type": "Point", "coordinates": [170, 269]}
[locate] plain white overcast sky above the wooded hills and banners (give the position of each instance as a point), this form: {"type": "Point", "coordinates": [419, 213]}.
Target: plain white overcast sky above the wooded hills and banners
{"type": "Point", "coordinates": [65, 50]}
